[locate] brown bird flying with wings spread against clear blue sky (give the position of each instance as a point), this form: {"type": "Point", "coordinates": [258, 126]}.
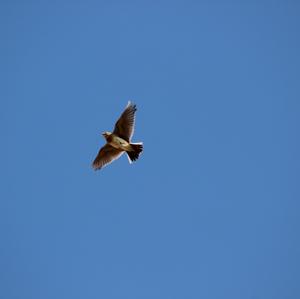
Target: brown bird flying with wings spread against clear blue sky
{"type": "Point", "coordinates": [119, 141]}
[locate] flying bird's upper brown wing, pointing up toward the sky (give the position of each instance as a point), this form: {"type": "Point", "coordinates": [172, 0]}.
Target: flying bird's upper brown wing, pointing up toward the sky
{"type": "Point", "coordinates": [124, 127]}
